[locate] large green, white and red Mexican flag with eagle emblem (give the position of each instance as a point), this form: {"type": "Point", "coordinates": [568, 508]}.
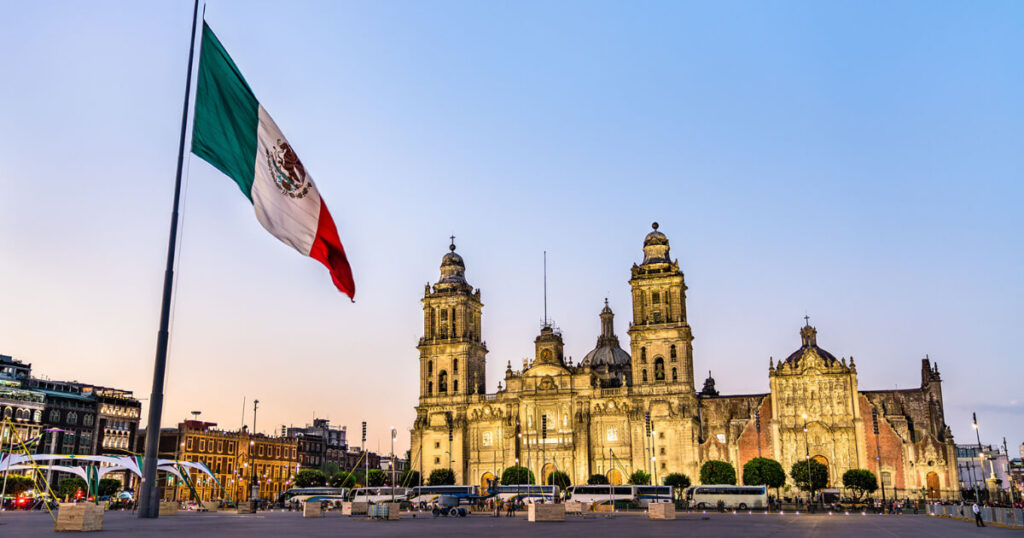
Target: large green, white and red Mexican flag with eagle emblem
{"type": "Point", "coordinates": [235, 134]}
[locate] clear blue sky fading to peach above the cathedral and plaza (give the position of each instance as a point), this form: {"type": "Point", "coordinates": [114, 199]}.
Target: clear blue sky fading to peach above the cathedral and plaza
{"type": "Point", "coordinates": [860, 162]}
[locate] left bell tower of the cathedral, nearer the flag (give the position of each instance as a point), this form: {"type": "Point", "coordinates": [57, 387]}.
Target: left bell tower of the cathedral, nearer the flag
{"type": "Point", "coordinates": [452, 353]}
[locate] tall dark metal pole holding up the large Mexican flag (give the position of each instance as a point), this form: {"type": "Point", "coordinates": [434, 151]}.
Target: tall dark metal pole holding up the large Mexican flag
{"type": "Point", "coordinates": [149, 502]}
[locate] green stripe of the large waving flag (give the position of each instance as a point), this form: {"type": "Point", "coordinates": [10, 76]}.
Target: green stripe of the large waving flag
{"type": "Point", "coordinates": [227, 115]}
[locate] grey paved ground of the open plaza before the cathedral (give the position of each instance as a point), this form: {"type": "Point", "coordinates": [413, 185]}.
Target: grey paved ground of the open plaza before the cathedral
{"type": "Point", "coordinates": [292, 524]}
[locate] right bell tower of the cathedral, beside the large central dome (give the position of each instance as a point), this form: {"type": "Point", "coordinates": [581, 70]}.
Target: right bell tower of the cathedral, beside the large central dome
{"type": "Point", "coordinates": [660, 338]}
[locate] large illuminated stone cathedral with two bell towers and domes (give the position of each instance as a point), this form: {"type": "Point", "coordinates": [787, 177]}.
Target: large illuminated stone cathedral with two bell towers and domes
{"type": "Point", "coordinates": [617, 411]}
